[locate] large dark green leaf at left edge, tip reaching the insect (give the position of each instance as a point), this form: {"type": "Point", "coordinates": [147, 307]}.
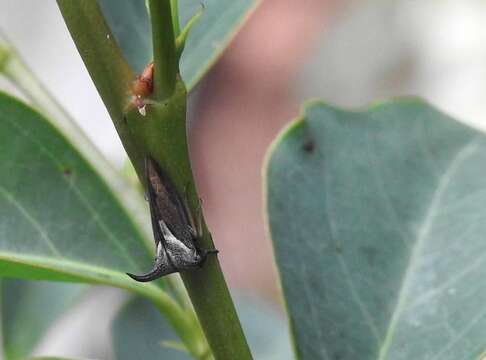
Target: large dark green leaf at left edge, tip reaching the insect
{"type": "Point", "coordinates": [58, 219]}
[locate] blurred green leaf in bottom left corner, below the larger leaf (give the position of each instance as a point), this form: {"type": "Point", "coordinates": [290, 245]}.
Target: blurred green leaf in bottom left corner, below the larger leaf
{"type": "Point", "coordinates": [28, 309]}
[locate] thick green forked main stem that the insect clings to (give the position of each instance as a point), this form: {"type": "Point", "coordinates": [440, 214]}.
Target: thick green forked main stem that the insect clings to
{"type": "Point", "coordinates": [162, 135]}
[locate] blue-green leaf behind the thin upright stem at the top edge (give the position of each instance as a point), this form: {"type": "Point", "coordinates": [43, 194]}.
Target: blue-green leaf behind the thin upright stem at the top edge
{"type": "Point", "coordinates": [221, 20]}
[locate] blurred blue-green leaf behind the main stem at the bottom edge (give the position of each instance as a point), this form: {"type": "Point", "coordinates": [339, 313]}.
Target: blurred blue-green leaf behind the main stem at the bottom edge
{"type": "Point", "coordinates": [140, 332]}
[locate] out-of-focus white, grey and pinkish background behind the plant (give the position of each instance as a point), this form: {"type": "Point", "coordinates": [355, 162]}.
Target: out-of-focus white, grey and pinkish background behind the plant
{"type": "Point", "coordinates": [348, 53]}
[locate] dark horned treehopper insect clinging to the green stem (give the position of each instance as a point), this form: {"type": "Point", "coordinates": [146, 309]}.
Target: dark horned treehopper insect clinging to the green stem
{"type": "Point", "coordinates": [174, 229]}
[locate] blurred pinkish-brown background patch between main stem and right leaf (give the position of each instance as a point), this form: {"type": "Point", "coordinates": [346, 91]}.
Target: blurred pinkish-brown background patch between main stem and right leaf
{"type": "Point", "coordinates": [241, 107]}
